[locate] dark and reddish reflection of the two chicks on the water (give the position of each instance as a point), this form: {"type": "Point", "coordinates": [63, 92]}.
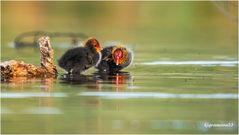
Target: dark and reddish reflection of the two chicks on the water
{"type": "Point", "coordinates": [97, 80]}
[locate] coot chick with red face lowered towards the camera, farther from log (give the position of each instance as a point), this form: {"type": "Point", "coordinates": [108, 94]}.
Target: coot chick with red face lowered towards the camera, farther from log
{"type": "Point", "coordinates": [114, 59]}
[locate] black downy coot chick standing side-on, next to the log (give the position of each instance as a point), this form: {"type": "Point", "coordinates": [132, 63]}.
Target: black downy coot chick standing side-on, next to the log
{"type": "Point", "coordinates": [79, 59]}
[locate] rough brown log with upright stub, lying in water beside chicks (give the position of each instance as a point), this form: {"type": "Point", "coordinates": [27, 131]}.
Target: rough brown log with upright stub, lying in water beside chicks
{"type": "Point", "coordinates": [14, 68]}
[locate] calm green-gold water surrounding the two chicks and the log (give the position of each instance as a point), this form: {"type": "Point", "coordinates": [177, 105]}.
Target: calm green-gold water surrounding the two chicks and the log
{"type": "Point", "coordinates": [184, 76]}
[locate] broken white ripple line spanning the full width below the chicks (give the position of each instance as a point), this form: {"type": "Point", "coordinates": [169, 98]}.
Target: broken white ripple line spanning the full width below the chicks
{"type": "Point", "coordinates": [125, 95]}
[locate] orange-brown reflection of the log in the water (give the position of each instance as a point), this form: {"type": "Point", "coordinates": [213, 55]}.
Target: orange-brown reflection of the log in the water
{"type": "Point", "coordinates": [21, 84]}
